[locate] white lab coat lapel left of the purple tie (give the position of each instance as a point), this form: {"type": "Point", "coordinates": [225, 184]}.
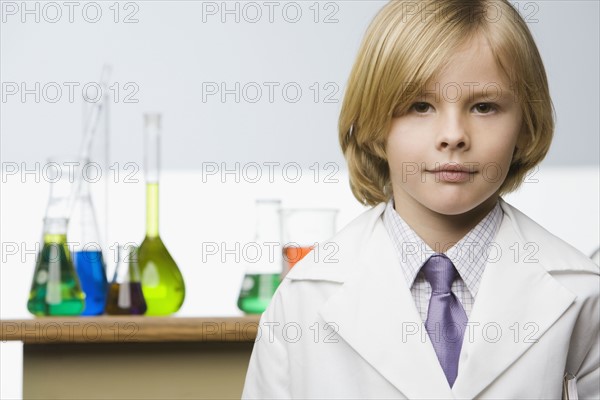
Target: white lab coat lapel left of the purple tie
{"type": "Point", "coordinates": [376, 316]}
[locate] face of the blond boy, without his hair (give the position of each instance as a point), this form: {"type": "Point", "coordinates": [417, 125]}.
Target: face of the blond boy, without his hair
{"type": "Point", "coordinates": [467, 119]}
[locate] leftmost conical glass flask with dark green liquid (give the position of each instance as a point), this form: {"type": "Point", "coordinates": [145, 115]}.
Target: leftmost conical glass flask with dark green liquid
{"type": "Point", "coordinates": [55, 288]}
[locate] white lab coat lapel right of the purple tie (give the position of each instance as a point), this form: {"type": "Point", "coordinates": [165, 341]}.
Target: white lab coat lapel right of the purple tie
{"type": "Point", "coordinates": [516, 298]}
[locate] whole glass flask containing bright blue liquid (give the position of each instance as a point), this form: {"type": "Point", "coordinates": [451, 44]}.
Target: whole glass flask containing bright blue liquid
{"type": "Point", "coordinates": [89, 263]}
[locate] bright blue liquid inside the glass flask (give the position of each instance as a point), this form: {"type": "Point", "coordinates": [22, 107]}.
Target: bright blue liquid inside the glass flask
{"type": "Point", "coordinates": [92, 276]}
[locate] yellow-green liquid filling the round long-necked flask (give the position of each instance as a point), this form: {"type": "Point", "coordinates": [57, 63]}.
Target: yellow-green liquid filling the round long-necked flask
{"type": "Point", "coordinates": [162, 282]}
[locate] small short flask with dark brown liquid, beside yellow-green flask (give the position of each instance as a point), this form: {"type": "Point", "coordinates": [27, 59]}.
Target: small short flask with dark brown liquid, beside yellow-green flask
{"type": "Point", "coordinates": [125, 296]}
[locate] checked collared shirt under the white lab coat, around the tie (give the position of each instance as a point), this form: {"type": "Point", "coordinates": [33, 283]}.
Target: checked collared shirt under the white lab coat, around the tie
{"type": "Point", "coordinates": [469, 256]}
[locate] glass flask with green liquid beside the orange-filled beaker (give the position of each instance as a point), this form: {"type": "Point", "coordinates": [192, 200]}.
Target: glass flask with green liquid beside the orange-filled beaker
{"type": "Point", "coordinates": [263, 272]}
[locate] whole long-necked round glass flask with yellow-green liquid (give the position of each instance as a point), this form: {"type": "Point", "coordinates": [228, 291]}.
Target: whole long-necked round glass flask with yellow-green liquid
{"type": "Point", "coordinates": [162, 282]}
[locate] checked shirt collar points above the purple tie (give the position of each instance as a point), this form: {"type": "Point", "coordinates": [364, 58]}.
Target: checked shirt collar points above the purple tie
{"type": "Point", "coordinates": [469, 255]}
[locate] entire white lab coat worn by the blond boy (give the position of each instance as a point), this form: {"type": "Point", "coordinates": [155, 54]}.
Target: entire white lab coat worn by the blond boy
{"type": "Point", "coordinates": [345, 325]}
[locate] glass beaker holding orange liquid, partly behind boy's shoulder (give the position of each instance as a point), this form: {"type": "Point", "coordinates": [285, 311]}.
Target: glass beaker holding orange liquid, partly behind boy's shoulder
{"type": "Point", "coordinates": [302, 229]}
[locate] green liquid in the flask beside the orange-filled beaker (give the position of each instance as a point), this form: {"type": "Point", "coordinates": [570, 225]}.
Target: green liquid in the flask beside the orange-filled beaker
{"type": "Point", "coordinates": [257, 291]}
